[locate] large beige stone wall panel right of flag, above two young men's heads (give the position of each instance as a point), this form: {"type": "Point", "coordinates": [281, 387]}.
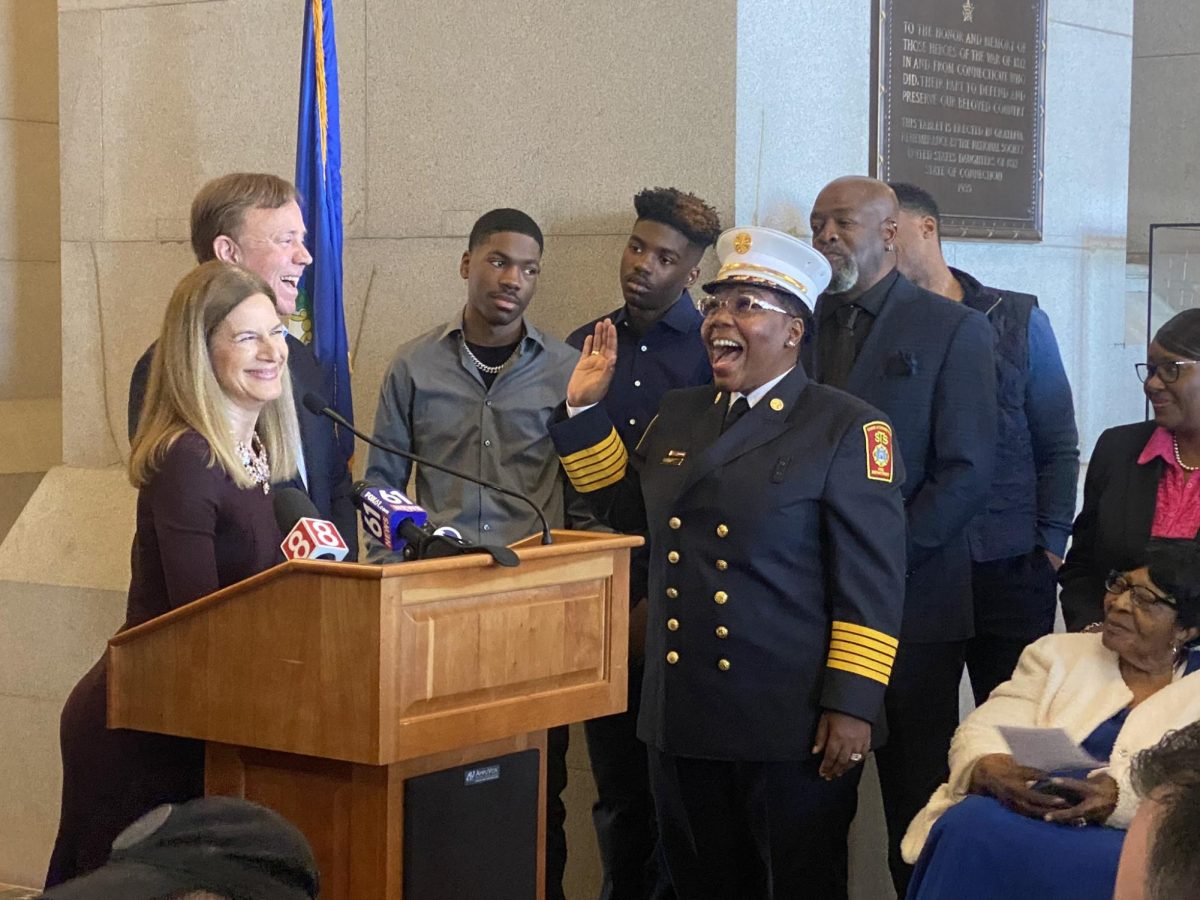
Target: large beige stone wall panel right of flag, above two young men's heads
{"type": "Point", "coordinates": [562, 110]}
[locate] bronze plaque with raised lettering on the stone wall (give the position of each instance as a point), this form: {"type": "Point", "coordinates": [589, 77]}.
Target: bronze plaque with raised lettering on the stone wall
{"type": "Point", "coordinates": [961, 110]}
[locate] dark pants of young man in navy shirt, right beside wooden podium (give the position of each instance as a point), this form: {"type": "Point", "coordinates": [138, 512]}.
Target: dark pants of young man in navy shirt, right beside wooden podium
{"type": "Point", "coordinates": [623, 814]}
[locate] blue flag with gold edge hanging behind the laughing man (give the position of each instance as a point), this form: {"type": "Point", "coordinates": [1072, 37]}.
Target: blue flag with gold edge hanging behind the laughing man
{"type": "Point", "coordinates": [320, 183]}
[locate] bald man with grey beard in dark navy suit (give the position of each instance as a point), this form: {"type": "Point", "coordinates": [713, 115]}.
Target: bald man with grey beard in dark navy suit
{"type": "Point", "coordinates": [928, 364]}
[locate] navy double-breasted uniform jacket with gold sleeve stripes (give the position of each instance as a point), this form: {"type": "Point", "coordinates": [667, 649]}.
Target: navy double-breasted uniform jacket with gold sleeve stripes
{"type": "Point", "coordinates": [777, 563]}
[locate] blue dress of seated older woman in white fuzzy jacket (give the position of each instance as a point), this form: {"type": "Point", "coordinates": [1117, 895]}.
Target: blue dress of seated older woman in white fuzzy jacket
{"type": "Point", "coordinates": [981, 850]}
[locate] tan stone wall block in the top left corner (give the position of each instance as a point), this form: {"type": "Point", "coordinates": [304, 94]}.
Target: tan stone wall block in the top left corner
{"type": "Point", "coordinates": [28, 51]}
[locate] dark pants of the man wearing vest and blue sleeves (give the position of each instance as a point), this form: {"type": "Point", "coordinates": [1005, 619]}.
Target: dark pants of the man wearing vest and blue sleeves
{"type": "Point", "coordinates": [1015, 603]}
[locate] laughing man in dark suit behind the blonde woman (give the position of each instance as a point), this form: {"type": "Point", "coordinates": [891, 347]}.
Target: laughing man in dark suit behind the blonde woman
{"type": "Point", "coordinates": [254, 220]}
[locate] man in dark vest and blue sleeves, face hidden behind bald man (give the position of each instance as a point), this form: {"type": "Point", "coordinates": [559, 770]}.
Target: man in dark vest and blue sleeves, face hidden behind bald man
{"type": "Point", "coordinates": [1019, 541]}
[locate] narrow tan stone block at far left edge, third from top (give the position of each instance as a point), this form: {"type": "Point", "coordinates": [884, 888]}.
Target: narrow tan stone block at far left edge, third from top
{"type": "Point", "coordinates": [31, 337]}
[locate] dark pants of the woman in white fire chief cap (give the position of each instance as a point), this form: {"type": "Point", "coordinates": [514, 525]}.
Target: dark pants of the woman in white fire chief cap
{"type": "Point", "coordinates": [753, 831]}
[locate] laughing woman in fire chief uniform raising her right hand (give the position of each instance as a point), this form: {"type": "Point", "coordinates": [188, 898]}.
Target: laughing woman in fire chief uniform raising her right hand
{"type": "Point", "coordinates": [777, 537]}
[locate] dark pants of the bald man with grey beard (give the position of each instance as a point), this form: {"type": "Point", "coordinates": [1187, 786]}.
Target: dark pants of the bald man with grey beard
{"type": "Point", "coordinates": [922, 706]}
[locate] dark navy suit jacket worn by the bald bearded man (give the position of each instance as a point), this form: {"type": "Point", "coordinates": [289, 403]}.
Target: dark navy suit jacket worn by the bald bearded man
{"type": "Point", "coordinates": [929, 365]}
